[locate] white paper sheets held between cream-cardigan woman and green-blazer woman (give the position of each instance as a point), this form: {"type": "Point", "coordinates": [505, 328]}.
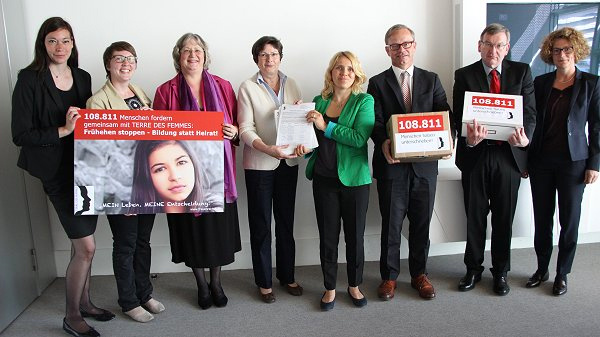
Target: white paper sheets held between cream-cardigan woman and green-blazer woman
{"type": "Point", "coordinates": [293, 129]}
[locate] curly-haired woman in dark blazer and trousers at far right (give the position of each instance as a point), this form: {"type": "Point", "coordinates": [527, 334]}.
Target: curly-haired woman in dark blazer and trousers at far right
{"type": "Point", "coordinates": [561, 157]}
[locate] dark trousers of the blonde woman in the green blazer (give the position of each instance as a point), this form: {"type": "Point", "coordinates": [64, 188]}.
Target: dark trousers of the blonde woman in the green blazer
{"type": "Point", "coordinates": [335, 202]}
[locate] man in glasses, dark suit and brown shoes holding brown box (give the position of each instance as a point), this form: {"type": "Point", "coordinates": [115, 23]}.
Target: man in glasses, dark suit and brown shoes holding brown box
{"type": "Point", "coordinates": [405, 189]}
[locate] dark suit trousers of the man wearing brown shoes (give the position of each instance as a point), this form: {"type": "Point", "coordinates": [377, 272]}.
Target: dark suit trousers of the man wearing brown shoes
{"type": "Point", "coordinates": [412, 196]}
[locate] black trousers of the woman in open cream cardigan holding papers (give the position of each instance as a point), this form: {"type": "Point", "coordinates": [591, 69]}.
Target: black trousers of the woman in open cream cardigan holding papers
{"type": "Point", "coordinates": [272, 190]}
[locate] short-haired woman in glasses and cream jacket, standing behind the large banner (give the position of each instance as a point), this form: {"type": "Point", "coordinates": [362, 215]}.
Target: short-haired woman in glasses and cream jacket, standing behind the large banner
{"type": "Point", "coordinates": [131, 233]}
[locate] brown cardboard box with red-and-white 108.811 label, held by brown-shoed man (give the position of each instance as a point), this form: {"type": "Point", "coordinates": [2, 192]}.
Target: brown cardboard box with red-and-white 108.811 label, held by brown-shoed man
{"type": "Point", "coordinates": [424, 136]}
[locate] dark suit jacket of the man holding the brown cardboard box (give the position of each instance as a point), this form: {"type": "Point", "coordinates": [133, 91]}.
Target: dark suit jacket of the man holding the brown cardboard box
{"type": "Point", "coordinates": [427, 95]}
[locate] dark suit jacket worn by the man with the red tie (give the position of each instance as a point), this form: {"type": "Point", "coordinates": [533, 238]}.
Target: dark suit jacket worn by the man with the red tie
{"type": "Point", "coordinates": [514, 80]}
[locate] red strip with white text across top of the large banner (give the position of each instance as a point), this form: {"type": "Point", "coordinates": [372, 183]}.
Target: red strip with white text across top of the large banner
{"type": "Point", "coordinates": [148, 124]}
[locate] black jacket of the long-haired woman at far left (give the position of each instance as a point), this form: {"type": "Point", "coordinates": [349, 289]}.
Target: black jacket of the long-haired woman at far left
{"type": "Point", "coordinates": [37, 112]}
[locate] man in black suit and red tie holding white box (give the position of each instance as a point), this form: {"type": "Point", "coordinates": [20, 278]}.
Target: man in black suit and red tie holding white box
{"type": "Point", "coordinates": [492, 170]}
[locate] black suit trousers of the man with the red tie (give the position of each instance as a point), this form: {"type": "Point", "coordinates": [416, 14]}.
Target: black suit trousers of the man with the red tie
{"type": "Point", "coordinates": [492, 185]}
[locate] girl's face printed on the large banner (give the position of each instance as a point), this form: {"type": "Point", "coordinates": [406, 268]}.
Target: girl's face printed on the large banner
{"type": "Point", "coordinates": [172, 171]}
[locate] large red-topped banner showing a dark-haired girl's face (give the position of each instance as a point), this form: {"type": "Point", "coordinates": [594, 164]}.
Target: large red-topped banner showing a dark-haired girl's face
{"type": "Point", "coordinates": [148, 162]}
